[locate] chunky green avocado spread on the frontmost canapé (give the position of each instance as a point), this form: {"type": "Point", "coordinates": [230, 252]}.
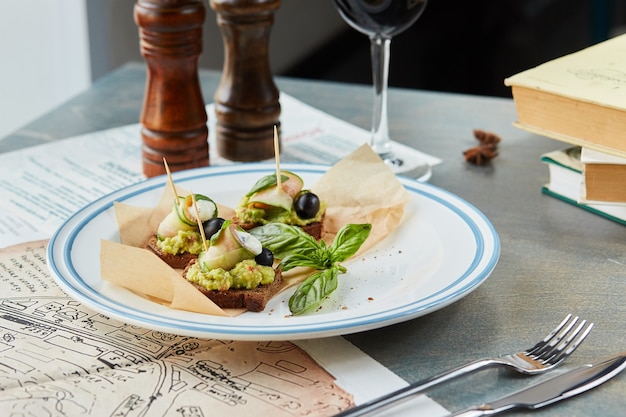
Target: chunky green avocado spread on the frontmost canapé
{"type": "Point", "coordinates": [246, 274]}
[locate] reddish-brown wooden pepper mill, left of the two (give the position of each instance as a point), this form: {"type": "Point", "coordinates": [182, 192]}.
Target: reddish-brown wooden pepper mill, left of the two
{"type": "Point", "coordinates": [173, 114]}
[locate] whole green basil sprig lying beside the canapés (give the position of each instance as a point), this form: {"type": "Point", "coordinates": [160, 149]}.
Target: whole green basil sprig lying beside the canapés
{"type": "Point", "coordinates": [294, 247]}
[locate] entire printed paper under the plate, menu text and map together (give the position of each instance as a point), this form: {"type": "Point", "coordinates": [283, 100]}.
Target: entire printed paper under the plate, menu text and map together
{"type": "Point", "coordinates": [59, 357]}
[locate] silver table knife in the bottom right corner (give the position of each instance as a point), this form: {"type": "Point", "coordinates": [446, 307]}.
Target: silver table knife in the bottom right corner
{"type": "Point", "coordinates": [552, 390]}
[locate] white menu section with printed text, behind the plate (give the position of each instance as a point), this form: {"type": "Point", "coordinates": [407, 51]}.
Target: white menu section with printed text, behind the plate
{"type": "Point", "coordinates": [43, 185]}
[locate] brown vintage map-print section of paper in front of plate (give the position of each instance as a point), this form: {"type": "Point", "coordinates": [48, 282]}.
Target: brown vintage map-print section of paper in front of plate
{"type": "Point", "coordinates": [61, 358]}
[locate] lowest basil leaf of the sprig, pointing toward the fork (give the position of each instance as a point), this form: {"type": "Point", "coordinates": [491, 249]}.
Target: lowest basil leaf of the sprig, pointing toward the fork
{"type": "Point", "coordinates": [312, 291]}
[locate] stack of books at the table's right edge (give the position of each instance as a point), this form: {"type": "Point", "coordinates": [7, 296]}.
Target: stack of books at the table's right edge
{"type": "Point", "coordinates": [580, 99]}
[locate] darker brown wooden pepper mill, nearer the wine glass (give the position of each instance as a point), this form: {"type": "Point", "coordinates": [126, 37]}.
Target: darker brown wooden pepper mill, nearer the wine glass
{"type": "Point", "coordinates": [247, 101]}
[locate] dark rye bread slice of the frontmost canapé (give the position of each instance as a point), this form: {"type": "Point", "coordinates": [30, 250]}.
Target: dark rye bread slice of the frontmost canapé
{"type": "Point", "coordinates": [252, 300]}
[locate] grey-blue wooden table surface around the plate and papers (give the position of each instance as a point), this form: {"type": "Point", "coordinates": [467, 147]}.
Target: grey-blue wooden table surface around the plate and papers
{"type": "Point", "coordinates": [555, 258]}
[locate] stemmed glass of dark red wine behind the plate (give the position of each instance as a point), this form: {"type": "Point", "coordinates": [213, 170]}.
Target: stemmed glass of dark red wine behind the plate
{"type": "Point", "coordinates": [381, 20]}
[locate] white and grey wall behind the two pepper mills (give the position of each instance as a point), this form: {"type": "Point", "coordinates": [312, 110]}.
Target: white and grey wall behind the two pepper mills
{"type": "Point", "coordinates": [51, 50]}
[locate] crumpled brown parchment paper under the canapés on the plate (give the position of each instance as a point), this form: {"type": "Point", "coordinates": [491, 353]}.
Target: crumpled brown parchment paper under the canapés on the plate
{"type": "Point", "coordinates": [360, 188]}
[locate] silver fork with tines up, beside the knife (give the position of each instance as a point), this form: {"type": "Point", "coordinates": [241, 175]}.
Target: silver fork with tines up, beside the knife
{"type": "Point", "coordinates": [543, 356]}
